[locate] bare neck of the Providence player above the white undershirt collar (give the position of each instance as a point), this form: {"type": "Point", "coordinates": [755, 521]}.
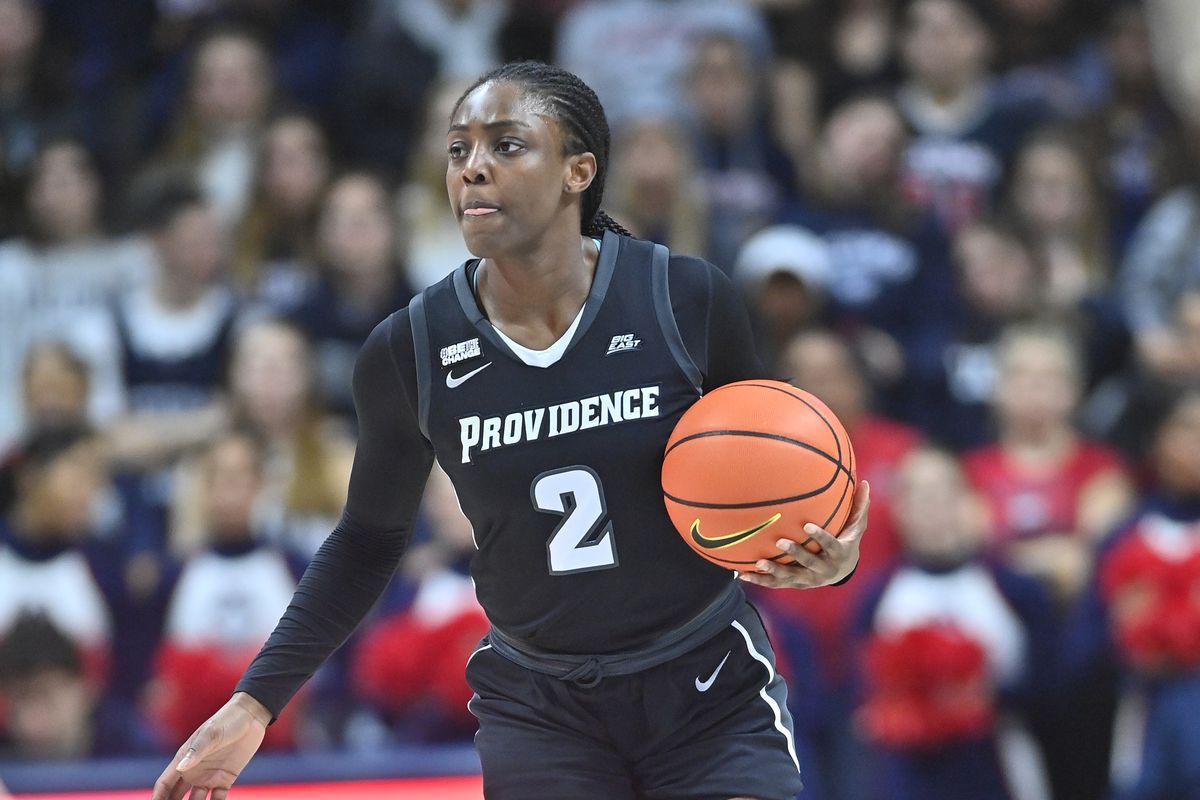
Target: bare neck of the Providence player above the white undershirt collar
{"type": "Point", "coordinates": [536, 298]}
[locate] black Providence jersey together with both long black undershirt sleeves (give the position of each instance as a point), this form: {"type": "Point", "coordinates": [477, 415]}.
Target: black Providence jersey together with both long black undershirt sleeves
{"type": "Point", "coordinates": [557, 468]}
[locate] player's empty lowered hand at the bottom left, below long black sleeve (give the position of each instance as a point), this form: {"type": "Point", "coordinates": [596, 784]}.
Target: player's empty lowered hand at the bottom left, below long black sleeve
{"type": "Point", "coordinates": [213, 759]}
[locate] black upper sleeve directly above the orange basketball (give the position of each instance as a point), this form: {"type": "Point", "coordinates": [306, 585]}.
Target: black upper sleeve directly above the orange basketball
{"type": "Point", "coordinates": [713, 322]}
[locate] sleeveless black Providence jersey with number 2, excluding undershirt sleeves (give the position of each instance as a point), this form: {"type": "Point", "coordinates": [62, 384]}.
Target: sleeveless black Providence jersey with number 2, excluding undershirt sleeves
{"type": "Point", "coordinates": [559, 468]}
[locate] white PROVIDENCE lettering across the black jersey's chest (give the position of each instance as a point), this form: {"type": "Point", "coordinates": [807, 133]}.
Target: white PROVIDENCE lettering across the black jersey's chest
{"type": "Point", "coordinates": [479, 434]}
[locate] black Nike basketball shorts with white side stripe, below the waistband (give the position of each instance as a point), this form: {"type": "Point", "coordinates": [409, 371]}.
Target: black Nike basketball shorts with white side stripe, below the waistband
{"type": "Point", "coordinates": [710, 725]}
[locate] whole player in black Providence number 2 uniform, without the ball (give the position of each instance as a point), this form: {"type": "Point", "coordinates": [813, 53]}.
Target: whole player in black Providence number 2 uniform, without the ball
{"type": "Point", "coordinates": [547, 377]}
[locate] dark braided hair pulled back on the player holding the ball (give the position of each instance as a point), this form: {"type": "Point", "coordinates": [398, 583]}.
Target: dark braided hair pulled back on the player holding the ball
{"type": "Point", "coordinates": [578, 111]}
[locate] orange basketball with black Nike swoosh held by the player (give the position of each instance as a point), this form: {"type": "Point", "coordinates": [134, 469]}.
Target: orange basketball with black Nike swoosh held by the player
{"type": "Point", "coordinates": [752, 464]}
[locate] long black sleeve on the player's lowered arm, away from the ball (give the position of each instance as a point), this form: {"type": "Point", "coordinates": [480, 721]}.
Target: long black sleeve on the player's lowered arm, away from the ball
{"type": "Point", "coordinates": [351, 570]}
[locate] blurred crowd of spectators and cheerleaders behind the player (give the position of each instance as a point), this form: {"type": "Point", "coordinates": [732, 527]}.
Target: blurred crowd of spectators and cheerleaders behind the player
{"type": "Point", "coordinates": [973, 227]}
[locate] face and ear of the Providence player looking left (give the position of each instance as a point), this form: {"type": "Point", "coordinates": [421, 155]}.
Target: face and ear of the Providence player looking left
{"type": "Point", "coordinates": [508, 177]}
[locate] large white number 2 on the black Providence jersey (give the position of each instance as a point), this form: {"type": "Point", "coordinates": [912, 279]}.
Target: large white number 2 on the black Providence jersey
{"type": "Point", "coordinates": [583, 542]}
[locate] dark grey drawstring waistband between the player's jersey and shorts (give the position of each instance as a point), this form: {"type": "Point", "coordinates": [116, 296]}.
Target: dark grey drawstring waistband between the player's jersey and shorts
{"type": "Point", "coordinates": [590, 670]}
